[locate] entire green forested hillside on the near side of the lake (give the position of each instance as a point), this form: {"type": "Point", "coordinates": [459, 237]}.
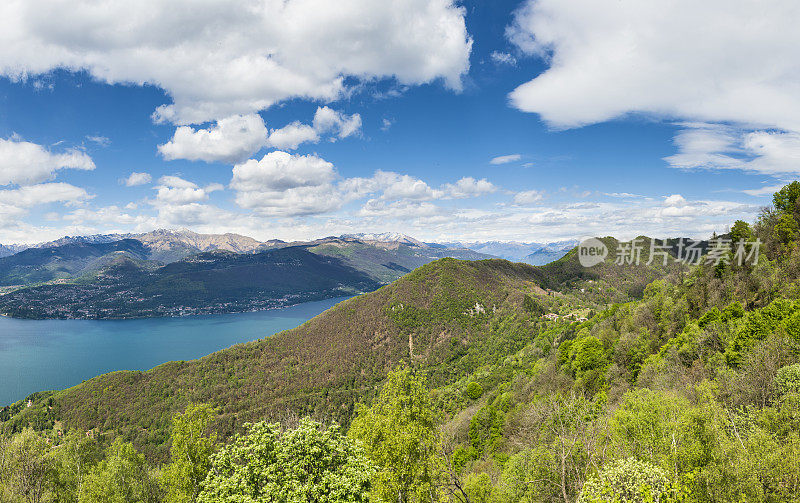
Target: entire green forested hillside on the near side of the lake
{"type": "Point", "coordinates": [682, 384]}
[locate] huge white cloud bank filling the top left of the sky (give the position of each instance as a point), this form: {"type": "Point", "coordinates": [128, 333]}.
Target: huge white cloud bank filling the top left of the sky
{"type": "Point", "coordinates": [227, 58]}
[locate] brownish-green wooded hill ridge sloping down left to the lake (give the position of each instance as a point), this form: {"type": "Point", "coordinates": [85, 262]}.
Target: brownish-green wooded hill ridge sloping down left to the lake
{"type": "Point", "coordinates": [449, 316]}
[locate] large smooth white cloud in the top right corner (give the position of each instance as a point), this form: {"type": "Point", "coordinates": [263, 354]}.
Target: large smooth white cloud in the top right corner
{"type": "Point", "coordinates": [713, 61]}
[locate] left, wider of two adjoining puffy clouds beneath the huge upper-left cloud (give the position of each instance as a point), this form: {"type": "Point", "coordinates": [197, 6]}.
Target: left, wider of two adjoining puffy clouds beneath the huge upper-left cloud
{"type": "Point", "coordinates": [230, 140]}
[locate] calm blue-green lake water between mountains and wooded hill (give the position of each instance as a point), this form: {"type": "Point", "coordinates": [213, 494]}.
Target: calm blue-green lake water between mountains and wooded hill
{"type": "Point", "coordinates": [38, 355]}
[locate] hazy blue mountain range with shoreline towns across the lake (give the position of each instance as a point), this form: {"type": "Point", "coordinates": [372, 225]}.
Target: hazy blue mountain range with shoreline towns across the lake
{"type": "Point", "coordinates": [168, 273]}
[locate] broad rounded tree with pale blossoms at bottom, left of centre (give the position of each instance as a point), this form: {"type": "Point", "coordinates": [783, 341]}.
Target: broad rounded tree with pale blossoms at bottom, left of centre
{"type": "Point", "coordinates": [309, 464]}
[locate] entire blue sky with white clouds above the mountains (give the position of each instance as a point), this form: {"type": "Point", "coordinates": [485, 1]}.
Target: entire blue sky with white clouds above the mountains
{"type": "Point", "coordinates": [529, 121]}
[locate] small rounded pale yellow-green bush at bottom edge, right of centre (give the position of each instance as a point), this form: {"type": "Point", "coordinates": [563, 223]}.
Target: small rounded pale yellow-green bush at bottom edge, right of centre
{"type": "Point", "coordinates": [626, 481]}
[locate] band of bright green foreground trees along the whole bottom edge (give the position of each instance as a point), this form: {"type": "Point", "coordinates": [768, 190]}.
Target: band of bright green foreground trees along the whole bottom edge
{"type": "Point", "coordinates": [652, 446]}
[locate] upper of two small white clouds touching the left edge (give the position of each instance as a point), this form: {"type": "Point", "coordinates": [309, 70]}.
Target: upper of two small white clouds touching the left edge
{"type": "Point", "coordinates": [23, 163]}
